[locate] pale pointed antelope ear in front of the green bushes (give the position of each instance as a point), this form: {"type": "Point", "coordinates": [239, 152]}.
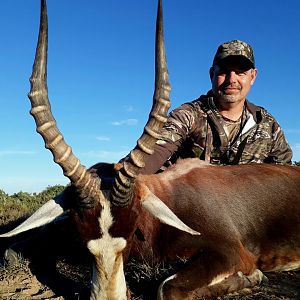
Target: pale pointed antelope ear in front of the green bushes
{"type": "Point", "coordinates": [44, 215]}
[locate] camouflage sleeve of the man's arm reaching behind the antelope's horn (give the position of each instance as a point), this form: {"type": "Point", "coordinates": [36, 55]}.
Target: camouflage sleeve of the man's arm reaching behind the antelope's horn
{"type": "Point", "coordinates": [180, 123]}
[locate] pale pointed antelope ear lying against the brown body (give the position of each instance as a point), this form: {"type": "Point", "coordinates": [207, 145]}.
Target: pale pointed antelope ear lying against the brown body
{"type": "Point", "coordinates": [162, 212]}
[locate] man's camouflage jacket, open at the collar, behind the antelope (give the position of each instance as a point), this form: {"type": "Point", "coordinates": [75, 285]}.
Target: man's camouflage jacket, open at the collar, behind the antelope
{"type": "Point", "coordinates": [196, 129]}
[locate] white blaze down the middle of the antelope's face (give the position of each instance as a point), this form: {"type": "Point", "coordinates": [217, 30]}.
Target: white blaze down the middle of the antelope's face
{"type": "Point", "coordinates": [108, 282]}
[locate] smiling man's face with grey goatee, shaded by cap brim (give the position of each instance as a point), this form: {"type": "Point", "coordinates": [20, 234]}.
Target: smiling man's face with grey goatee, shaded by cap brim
{"type": "Point", "coordinates": [232, 80]}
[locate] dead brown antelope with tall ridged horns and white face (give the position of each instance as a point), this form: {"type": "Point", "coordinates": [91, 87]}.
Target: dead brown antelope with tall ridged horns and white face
{"type": "Point", "coordinates": [248, 216]}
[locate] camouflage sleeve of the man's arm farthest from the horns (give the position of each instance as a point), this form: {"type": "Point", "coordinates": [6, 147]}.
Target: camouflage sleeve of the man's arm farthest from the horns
{"type": "Point", "coordinates": [281, 152]}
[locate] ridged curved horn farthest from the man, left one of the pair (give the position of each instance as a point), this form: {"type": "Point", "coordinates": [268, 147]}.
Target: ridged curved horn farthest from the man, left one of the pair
{"type": "Point", "coordinates": [86, 185]}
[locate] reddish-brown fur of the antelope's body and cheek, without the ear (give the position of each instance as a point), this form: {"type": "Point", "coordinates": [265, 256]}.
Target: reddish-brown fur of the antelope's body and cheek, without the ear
{"type": "Point", "coordinates": [248, 217]}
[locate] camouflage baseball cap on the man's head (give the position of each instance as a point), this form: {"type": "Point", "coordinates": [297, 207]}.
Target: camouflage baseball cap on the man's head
{"type": "Point", "coordinates": [234, 48]}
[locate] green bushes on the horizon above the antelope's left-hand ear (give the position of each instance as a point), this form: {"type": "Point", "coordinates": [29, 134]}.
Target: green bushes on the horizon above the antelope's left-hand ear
{"type": "Point", "coordinates": [22, 204]}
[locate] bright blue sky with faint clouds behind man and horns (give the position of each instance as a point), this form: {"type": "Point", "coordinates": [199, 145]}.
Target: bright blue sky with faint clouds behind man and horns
{"type": "Point", "coordinates": [101, 72]}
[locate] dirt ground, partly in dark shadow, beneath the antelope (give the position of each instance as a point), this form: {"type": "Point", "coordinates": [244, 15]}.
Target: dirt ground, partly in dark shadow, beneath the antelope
{"type": "Point", "coordinates": [59, 267]}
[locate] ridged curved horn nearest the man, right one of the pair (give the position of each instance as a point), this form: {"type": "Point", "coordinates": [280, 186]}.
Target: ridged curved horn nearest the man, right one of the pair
{"type": "Point", "coordinates": [121, 192]}
